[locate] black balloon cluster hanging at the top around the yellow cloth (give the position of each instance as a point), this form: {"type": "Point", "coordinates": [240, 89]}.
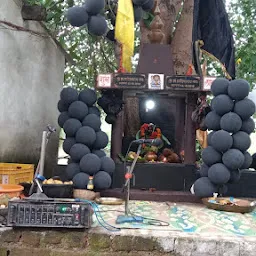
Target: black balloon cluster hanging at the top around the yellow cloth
{"type": "Point", "coordinates": [90, 14]}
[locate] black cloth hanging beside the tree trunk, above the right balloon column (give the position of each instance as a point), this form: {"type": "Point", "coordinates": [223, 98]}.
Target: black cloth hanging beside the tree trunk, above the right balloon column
{"type": "Point", "coordinates": [211, 25]}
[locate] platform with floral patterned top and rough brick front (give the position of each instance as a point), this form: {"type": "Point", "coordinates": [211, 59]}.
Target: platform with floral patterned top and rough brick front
{"type": "Point", "coordinates": [193, 231]}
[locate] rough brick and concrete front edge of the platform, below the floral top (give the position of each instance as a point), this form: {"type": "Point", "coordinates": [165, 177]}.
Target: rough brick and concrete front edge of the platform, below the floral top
{"type": "Point", "coordinates": [124, 243]}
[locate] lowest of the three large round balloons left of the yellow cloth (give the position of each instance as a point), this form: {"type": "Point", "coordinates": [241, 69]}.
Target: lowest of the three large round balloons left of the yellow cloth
{"type": "Point", "coordinates": [97, 25]}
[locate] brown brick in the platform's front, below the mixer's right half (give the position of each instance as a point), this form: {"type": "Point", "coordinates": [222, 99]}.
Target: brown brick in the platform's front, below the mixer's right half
{"type": "Point", "coordinates": [74, 240]}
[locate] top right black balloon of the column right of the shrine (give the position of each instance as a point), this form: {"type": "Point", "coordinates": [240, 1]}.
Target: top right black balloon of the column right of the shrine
{"type": "Point", "coordinates": [238, 89]}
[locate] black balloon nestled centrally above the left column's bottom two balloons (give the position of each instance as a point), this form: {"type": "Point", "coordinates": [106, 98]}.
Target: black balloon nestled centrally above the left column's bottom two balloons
{"type": "Point", "coordinates": [90, 164]}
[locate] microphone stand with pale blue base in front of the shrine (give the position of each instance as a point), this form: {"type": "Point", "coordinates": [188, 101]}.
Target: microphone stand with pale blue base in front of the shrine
{"type": "Point", "coordinates": [128, 218]}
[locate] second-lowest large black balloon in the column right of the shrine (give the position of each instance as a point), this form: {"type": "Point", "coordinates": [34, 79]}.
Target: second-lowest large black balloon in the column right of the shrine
{"type": "Point", "coordinates": [219, 174]}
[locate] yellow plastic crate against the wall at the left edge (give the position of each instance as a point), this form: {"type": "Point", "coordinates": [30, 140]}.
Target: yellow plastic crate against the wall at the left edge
{"type": "Point", "coordinates": [16, 173]}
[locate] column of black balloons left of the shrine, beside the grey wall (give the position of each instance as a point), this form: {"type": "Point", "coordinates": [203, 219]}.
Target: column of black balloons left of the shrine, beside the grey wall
{"type": "Point", "coordinates": [84, 142]}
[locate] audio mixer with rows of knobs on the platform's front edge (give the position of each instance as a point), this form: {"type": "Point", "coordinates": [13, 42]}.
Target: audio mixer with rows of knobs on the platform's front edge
{"type": "Point", "coordinates": [54, 214]}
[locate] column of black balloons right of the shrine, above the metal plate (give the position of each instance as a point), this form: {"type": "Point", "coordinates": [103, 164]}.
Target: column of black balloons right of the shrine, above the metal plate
{"type": "Point", "coordinates": [231, 124]}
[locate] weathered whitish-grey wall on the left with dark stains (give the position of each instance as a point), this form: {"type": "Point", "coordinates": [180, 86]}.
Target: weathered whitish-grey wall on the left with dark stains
{"type": "Point", "coordinates": [31, 77]}
